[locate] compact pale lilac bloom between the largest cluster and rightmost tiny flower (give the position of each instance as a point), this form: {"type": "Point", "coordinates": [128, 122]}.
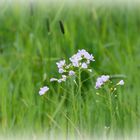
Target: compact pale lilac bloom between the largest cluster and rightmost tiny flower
{"type": "Point", "coordinates": [101, 80]}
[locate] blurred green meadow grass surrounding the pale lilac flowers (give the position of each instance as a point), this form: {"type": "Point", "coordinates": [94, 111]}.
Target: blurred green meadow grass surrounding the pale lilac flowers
{"type": "Point", "coordinates": [31, 42]}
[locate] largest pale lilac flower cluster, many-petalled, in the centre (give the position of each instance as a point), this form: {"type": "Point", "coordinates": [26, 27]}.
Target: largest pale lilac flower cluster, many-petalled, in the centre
{"type": "Point", "coordinates": [81, 59]}
